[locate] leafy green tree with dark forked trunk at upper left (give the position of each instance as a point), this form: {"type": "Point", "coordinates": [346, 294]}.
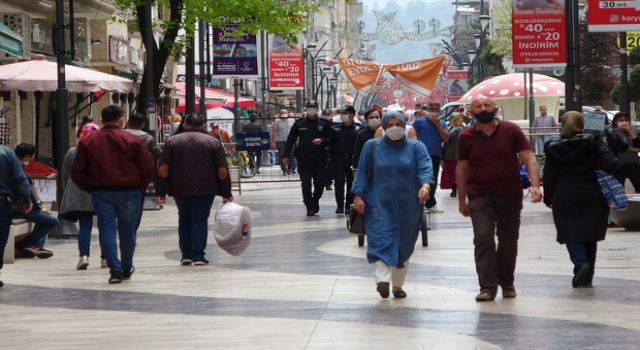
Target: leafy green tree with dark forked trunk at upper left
{"type": "Point", "coordinates": [280, 17]}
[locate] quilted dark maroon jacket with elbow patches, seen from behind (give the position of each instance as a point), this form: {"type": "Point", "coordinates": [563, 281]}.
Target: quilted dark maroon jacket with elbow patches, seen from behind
{"type": "Point", "coordinates": [190, 165]}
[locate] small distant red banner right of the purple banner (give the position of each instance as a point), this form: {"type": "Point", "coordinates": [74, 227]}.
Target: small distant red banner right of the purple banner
{"type": "Point", "coordinates": [286, 69]}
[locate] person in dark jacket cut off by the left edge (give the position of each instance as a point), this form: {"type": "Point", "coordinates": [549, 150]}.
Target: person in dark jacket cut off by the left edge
{"type": "Point", "coordinates": [15, 190]}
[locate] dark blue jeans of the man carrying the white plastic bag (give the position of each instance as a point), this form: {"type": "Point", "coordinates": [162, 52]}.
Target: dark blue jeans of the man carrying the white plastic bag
{"type": "Point", "coordinates": [193, 217]}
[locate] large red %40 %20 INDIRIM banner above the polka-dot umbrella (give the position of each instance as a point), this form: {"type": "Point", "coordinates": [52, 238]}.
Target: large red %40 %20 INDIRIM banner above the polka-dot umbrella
{"type": "Point", "coordinates": [538, 34]}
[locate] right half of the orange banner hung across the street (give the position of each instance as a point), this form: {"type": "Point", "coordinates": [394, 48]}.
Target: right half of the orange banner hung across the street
{"type": "Point", "coordinates": [419, 76]}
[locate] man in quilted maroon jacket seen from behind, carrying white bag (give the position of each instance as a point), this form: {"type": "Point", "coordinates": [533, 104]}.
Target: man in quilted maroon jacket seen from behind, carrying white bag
{"type": "Point", "coordinates": [193, 170]}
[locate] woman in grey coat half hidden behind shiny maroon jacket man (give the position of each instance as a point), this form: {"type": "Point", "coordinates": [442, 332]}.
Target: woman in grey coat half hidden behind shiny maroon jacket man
{"type": "Point", "coordinates": [76, 206]}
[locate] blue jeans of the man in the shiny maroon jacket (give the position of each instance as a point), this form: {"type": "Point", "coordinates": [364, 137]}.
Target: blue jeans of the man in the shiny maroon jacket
{"type": "Point", "coordinates": [117, 210]}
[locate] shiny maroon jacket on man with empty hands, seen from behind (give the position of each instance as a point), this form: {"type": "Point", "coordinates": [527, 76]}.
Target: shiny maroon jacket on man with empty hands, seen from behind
{"type": "Point", "coordinates": [112, 159]}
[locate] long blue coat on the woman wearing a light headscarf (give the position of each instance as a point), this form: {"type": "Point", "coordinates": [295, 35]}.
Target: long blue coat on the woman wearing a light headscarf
{"type": "Point", "coordinates": [392, 208]}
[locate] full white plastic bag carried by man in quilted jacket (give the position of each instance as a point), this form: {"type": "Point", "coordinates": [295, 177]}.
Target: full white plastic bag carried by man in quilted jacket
{"type": "Point", "coordinates": [233, 227]}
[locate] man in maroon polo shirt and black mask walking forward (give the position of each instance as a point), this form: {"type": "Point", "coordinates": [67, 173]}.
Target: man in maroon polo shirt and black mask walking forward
{"type": "Point", "coordinates": [487, 174]}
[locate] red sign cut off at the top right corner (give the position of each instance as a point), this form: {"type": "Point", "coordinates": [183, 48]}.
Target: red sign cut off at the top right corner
{"type": "Point", "coordinates": [613, 15]}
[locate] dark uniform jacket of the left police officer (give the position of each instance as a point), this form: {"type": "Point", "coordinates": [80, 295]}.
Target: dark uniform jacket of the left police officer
{"type": "Point", "coordinates": [305, 130]}
